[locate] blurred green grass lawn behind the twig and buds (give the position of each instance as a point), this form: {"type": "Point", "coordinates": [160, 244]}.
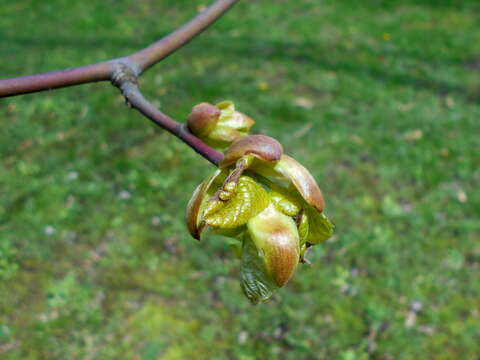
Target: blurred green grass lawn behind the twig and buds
{"type": "Point", "coordinates": [380, 99]}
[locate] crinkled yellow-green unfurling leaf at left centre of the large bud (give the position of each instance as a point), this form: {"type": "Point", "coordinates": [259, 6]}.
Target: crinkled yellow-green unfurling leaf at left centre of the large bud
{"type": "Point", "coordinates": [247, 200]}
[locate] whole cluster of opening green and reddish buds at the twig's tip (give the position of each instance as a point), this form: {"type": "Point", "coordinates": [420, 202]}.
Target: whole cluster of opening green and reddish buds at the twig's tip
{"type": "Point", "coordinates": [263, 198]}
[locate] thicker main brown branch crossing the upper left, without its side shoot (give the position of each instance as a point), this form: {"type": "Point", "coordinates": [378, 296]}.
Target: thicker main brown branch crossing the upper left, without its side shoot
{"type": "Point", "coordinates": [137, 62]}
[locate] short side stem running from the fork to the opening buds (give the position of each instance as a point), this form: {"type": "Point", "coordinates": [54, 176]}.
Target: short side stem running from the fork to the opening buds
{"type": "Point", "coordinates": [137, 100]}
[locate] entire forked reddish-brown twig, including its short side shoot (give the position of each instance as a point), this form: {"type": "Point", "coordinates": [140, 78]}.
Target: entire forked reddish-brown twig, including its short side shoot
{"type": "Point", "coordinates": [124, 72]}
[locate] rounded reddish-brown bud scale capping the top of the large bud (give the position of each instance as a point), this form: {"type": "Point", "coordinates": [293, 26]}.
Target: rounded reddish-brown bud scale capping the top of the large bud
{"type": "Point", "coordinates": [264, 147]}
